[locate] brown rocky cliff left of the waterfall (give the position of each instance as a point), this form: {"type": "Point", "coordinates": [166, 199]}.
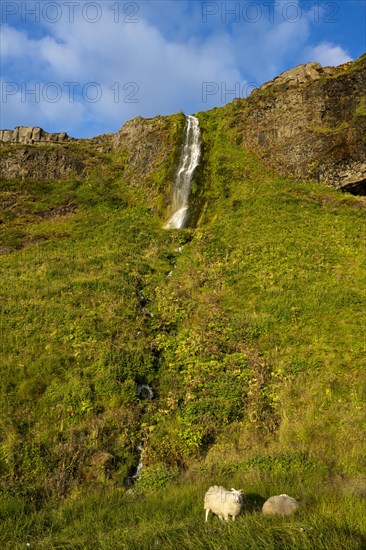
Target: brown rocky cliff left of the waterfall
{"type": "Point", "coordinates": [143, 147]}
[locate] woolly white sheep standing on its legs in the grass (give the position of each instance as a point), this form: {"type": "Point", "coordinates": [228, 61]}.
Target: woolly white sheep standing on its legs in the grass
{"type": "Point", "coordinates": [223, 502]}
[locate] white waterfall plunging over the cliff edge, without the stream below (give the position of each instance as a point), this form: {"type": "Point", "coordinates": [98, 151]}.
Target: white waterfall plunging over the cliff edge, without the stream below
{"type": "Point", "coordinates": [182, 185]}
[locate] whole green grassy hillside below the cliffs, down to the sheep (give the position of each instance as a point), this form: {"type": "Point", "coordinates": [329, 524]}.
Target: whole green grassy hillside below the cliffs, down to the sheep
{"type": "Point", "coordinates": [250, 336]}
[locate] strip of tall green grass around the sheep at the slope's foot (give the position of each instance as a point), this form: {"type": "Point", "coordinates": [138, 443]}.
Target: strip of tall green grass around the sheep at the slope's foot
{"type": "Point", "coordinates": [173, 517]}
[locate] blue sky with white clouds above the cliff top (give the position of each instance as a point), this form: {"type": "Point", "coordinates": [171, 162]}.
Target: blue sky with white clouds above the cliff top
{"type": "Point", "coordinates": [86, 67]}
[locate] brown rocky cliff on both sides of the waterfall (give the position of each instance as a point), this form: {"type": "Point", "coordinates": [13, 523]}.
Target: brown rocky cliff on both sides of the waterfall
{"type": "Point", "coordinates": [309, 123]}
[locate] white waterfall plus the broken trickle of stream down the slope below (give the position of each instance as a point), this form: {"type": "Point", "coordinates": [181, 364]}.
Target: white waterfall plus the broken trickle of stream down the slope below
{"type": "Point", "coordinates": [189, 161]}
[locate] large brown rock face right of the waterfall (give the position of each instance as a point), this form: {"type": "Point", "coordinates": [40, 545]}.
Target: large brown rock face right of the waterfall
{"type": "Point", "coordinates": [310, 123]}
